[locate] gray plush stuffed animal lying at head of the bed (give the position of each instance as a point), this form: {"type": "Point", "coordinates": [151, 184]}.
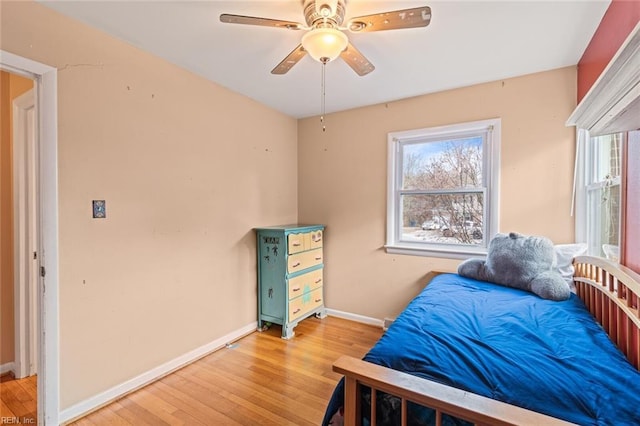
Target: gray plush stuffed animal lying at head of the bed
{"type": "Point", "coordinates": [520, 261]}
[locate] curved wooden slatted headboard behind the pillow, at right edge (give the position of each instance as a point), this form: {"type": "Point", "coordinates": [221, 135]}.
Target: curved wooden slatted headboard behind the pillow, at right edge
{"type": "Point", "coordinates": [610, 292]}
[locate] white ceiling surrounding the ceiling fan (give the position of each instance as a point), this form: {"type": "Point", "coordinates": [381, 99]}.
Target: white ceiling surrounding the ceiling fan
{"type": "Point", "coordinates": [467, 42]}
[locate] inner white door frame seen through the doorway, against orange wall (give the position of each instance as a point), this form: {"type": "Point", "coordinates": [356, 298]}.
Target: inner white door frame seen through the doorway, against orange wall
{"type": "Point", "coordinates": [26, 279]}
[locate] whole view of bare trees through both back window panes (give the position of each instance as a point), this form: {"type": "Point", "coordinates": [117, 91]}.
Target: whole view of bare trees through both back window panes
{"type": "Point", "coordinates": [443, 198]}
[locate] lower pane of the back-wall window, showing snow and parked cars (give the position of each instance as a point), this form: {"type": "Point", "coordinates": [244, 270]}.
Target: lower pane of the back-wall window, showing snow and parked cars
{"type": "Point", "coordinates": [443, 218]}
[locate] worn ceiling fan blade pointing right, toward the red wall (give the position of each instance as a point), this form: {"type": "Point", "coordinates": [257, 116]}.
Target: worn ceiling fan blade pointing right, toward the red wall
{"type": "Point", "coordinates": [397, 19]}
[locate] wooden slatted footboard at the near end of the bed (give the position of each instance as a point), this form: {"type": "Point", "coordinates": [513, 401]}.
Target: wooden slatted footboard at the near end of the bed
{"type": "Point", "coordinates": [443, 399]}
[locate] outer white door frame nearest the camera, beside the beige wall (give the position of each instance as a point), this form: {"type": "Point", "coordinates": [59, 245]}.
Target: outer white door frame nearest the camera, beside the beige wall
{"type": "Point", "coordinates": [47, 140]}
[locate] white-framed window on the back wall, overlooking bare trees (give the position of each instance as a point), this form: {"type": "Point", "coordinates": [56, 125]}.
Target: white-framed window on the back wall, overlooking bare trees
{"type": "Point", "coordinates": [443, 189]}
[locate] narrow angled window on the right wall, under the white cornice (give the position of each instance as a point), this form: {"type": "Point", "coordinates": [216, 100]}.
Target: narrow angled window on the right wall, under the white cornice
{"type": "Point", "coordinates": [601, 206]}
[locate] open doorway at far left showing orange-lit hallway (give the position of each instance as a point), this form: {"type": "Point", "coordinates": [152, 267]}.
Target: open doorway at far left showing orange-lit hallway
{"type": "Point", "coordinates": [19, 229]}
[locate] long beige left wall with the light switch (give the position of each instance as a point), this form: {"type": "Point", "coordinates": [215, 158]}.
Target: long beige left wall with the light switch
{"type": "Point", "coordinates": [187, 169]}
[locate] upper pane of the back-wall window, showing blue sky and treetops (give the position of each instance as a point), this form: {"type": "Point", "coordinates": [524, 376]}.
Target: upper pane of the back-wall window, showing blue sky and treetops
{"type": "Point", "coordinates": [448, 164]}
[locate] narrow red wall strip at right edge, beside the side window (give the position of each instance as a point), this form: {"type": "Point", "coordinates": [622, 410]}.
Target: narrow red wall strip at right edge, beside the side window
{"type": "Point", "coordinates": [631, 252]}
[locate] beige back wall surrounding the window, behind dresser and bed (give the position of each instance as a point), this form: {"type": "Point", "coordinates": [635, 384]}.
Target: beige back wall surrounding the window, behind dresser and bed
{"type": "Point", "coordinates": [343, 175]}
